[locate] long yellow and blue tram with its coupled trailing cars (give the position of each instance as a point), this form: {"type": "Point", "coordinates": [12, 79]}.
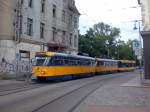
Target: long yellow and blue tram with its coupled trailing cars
{"type": "Point", "coordinates": [60, 66]}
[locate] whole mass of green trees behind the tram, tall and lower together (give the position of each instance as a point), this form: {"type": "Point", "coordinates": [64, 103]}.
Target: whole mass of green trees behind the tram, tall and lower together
{"type": "Point", "coordinates": [102, 41]}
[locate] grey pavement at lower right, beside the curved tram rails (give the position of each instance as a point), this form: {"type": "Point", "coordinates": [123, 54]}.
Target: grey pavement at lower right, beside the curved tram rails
{"type": "Point", "coordinates": [124, 94]}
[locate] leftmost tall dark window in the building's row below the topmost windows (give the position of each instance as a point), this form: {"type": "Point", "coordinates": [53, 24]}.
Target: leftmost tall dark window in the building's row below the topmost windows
{"type": "Point", "coordinates": [30, 27]}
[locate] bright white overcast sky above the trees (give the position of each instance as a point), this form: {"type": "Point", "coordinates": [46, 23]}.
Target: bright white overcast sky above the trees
{"type": "Point", "coordinates": [118, 13]}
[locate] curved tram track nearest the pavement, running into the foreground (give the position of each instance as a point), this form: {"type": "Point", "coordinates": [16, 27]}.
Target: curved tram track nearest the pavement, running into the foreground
{"type": "Point", "coordinates": [84, 91]}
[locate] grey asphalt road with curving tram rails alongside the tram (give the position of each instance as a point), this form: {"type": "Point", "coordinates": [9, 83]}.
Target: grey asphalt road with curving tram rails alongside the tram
{"type": "Point", "coordinates": [53, 97]}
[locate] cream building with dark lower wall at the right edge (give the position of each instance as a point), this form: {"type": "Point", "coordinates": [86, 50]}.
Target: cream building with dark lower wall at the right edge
{"type": "Point", "coordinates": [145, 6]}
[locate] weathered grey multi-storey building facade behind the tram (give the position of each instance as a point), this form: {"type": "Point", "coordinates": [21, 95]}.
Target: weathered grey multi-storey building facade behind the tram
{"type": "Point", "coordinates": [29, 26]}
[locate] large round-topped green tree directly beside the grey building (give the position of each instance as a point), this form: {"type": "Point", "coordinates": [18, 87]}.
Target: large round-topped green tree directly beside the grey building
{"type": "Point", "coordinates": [94, 41]}
